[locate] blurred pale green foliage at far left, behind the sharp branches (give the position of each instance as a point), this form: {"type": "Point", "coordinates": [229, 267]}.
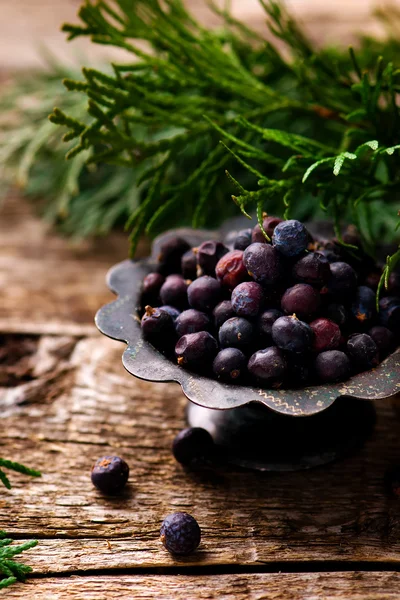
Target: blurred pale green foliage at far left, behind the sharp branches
{"type": "Point", "coordinates": [80, 200]}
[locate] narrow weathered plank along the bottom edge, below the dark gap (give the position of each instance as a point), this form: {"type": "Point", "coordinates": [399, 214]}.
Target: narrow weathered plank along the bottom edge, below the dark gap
{"type": "Point", "coordinates": [271, 586]}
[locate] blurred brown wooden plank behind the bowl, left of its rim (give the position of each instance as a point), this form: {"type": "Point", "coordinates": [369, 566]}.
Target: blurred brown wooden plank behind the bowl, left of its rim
{"type": "Point", "coordinates": [48, 284]}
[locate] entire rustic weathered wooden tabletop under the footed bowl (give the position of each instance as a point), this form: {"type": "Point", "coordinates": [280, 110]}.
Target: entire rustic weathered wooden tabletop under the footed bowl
{"type": "Point", "coordinates": [65, 400]}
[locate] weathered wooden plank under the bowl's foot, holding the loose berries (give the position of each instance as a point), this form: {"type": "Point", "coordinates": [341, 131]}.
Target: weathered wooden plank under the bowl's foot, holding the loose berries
{"type": "Point", "coordinates": [86, 405]}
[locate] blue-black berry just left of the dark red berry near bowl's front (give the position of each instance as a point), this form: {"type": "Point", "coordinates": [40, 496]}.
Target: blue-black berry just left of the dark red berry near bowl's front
{"type": "Point", "coordinates": [292, 335]}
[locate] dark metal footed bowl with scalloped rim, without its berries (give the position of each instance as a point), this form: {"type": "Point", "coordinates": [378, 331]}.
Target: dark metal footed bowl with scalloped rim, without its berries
{"type": "Point", "coordinates": [119, 320]}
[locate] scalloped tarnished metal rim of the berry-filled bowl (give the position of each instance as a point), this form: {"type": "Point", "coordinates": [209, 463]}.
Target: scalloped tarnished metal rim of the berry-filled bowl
{"type": "Point", "coordinates": [119, 320]}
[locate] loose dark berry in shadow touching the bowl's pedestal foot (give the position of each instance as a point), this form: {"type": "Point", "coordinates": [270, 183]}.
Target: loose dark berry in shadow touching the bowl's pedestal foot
{"type": "Point", "coordinates": [192, 445]}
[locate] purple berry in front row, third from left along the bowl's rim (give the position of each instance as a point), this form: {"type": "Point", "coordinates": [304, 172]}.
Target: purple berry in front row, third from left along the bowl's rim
{"type": "Point", "coordinates": [268, 367]}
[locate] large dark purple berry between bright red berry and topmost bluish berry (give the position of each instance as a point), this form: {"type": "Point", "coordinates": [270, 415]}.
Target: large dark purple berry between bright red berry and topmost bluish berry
{"type": "Point", "coordinates": [263, 263]}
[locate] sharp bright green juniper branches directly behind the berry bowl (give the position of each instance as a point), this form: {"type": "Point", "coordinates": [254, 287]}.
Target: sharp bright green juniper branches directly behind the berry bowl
{"type": "Point", "coordinates": [318, 131]}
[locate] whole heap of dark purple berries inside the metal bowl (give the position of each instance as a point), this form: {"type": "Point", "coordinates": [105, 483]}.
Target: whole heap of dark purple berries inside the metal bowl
{"type": "Point", "coordinates": [291, 312]}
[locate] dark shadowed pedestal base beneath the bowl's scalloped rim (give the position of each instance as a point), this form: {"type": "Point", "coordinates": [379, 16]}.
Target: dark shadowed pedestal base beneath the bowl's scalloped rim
{"type": "Point", "coordinates": [254, 437]}
